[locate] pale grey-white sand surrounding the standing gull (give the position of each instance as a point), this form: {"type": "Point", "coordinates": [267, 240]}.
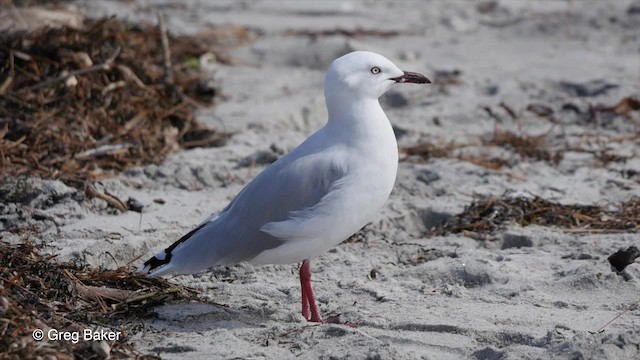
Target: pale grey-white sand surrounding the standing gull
{"type": "Point", "coordinates": [493, 300]}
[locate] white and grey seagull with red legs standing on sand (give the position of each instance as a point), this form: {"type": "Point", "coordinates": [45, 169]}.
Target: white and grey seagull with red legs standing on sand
{"type": "Point", "coordinates": [317, 195]}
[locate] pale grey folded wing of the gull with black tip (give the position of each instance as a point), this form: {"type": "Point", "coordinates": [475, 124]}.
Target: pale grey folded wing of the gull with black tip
{"type": "Point", "coordinates": [236, 234]}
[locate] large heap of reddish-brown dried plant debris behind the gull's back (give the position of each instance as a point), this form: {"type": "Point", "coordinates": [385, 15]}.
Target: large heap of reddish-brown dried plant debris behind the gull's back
{"type": "Point", "coordinates": [77, 102]}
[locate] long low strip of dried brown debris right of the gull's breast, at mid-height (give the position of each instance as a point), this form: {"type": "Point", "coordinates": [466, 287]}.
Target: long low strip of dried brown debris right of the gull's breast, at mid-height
{"type": "Point", "coordinates": [487, 214]}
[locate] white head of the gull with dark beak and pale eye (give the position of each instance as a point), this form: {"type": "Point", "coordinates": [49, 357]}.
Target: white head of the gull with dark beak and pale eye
{"type": "Point", "coordinates": [363, 74]}
